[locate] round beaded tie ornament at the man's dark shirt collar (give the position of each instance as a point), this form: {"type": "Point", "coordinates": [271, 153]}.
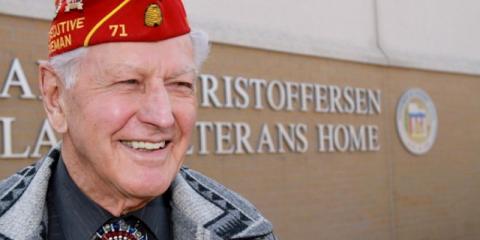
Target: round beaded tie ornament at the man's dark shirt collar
{"type": "Point", "coordinates": [122, 228]}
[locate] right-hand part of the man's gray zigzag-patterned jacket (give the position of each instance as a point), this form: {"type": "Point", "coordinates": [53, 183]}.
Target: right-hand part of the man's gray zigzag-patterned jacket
{"type": "Point", "coordinates": [214, 211]}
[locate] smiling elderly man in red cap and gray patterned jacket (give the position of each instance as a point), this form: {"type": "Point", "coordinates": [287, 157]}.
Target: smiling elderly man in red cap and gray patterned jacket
{"type": "Point", "coordinates": [119, 88]}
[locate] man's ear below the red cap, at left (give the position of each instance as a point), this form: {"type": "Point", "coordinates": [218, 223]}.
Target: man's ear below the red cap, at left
{"type": "Point", "coordinates": [52, 88]}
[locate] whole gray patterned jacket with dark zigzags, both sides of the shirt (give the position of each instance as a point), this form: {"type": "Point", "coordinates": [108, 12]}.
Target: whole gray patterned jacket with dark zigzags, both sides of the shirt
{"type": "Point", "coordinates": [201, 208]}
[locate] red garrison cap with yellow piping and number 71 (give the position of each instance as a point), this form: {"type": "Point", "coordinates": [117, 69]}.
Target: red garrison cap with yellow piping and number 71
{"type": "Point", "coordinates": [85, 23]}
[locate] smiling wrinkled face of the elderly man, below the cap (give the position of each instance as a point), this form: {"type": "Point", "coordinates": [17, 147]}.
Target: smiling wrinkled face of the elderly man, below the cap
{"type": "Point", "coordinates": [131, 113]}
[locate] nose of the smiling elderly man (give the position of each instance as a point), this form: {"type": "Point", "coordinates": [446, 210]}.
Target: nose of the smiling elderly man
{"type": "Point", "coordinates": [156, 108]}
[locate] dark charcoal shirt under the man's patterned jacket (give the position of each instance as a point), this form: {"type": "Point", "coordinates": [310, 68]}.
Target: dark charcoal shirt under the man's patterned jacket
{"type": "Point", "coordinates": [74, 216]}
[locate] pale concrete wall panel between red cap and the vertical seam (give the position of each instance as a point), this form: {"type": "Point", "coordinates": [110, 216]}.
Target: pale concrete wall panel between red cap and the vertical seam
{"type": "Point", "coordinates": [338, 29]}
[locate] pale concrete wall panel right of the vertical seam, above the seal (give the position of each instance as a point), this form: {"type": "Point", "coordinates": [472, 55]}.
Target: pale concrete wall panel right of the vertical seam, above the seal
{"type": "Point", "coordinates": [435, 34]}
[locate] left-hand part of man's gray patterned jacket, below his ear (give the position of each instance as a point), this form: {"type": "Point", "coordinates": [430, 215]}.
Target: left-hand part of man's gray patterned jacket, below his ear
{"type": "Point", "coordinates": [23, 211]}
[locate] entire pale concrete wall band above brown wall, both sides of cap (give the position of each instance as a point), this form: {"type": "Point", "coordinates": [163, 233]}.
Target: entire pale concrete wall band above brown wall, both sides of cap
{"type": "Point", "coordinates": [428, 34]}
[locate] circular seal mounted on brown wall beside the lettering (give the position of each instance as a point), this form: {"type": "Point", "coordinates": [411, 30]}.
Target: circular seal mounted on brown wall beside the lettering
{"type": "Point", "coordinates": [417, 121]}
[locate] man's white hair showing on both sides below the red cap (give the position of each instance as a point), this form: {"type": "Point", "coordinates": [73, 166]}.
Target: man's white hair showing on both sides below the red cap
{"type": "Point", "coordinates": [66, 65]}
